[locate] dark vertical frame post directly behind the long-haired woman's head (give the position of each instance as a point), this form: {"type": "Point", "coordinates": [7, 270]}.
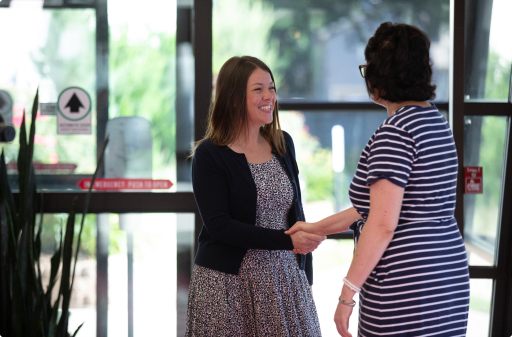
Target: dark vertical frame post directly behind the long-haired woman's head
{"type": "Point", "coordinates": [202, 37]}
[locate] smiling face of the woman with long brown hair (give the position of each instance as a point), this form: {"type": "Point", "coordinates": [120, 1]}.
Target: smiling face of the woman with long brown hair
{"type": "Point", "coordinates": [261, 98]}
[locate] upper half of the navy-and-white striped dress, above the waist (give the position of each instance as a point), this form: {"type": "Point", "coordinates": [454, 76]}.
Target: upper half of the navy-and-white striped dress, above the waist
{"type": "Point", "coordinates": [413, 149]}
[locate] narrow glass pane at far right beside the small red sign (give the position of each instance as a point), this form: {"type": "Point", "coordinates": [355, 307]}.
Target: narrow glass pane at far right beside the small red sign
{"type": "Point", "coordinates": [484, 146]}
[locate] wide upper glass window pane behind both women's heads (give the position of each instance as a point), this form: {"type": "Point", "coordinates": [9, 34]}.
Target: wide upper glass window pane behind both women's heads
{"type": "Point", "coordinates": [314, 48]}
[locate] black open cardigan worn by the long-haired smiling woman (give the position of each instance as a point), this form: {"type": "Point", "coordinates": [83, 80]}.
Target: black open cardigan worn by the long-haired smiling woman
{"type": "Point", "coordinates": [226, 196]}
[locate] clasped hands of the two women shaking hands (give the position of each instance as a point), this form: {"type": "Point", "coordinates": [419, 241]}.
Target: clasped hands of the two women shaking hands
{"type": "Point", "coordinates": [305, 237]}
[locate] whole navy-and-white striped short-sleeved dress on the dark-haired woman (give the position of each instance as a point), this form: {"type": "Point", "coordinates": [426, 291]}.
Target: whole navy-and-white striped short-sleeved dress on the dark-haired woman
{"type": "Point", "coordinates": [420, 286]}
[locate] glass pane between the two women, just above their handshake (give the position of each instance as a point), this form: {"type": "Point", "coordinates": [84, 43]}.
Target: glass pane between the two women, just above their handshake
{"type": "Point", "coordinates": [325, 187]}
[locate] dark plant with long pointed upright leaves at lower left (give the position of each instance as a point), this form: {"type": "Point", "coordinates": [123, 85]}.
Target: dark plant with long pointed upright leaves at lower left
{"type": "Point", "coordinates": [26, 307]}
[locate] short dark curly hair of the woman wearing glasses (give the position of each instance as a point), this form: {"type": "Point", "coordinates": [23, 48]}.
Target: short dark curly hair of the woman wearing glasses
{"type": "Point", "coordinates": [398, 64]}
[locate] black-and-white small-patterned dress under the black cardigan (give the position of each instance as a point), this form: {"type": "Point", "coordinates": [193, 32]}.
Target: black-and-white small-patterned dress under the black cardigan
{"type": "Point", "coordinates": [270, 296]}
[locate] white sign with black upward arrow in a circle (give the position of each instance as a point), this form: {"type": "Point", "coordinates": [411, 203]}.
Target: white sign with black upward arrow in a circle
{"type": "Point", "coordinates": [74, 112]}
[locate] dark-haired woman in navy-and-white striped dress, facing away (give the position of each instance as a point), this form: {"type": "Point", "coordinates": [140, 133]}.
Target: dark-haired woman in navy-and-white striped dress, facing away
{"type": "Point", "coordinates": [410, 265]}
